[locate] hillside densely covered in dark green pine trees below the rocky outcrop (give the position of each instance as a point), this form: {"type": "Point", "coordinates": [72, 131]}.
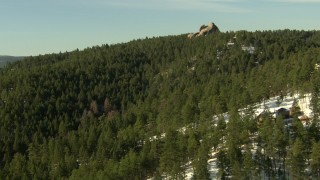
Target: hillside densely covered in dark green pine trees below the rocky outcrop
{"type": "Point", "coordinates": [113, 112]}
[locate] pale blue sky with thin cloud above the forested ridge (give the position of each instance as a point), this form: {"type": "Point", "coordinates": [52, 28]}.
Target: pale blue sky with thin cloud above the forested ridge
{"type": "Point", "coordinates": [33, 27]}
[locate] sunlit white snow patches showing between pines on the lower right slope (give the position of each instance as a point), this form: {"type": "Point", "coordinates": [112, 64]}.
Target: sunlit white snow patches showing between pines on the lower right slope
{"type": "Point", "coordinates": [271, 105]}
